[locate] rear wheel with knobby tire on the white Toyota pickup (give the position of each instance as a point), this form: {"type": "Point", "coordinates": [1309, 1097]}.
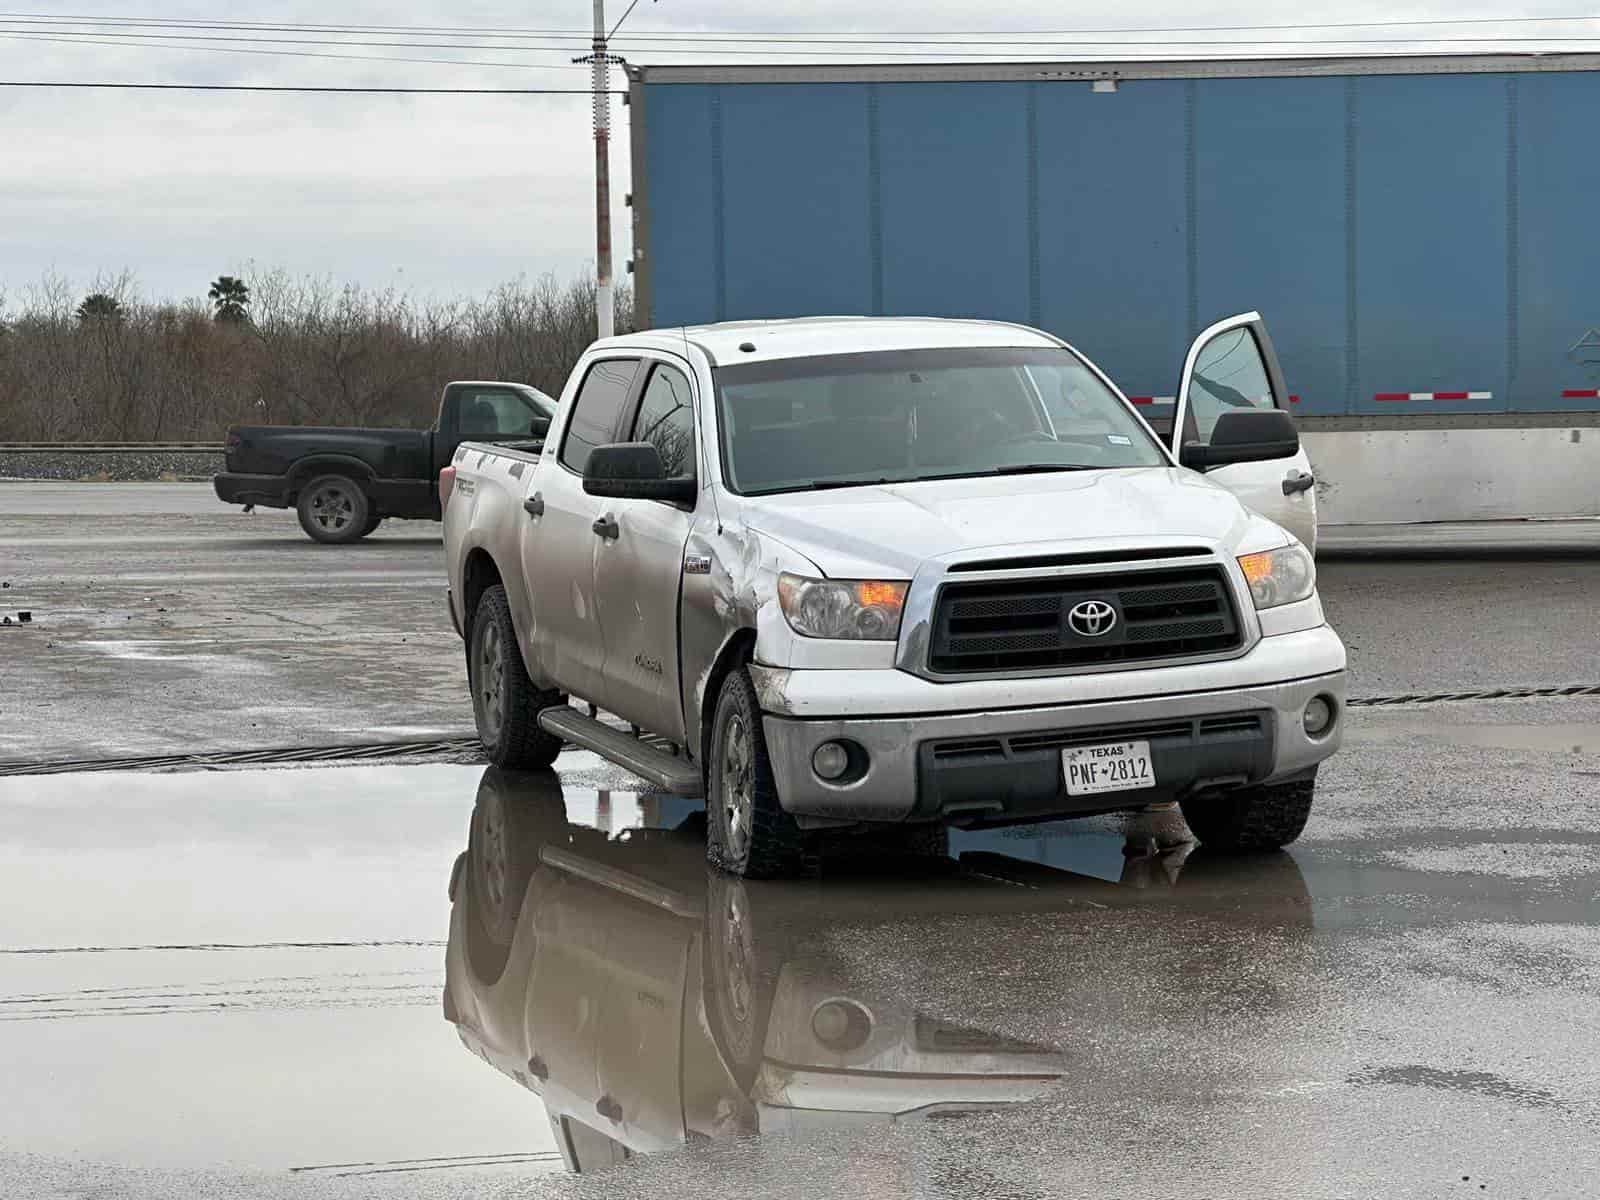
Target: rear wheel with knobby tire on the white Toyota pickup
{"type": "Point", "coordinates": [505, 703]}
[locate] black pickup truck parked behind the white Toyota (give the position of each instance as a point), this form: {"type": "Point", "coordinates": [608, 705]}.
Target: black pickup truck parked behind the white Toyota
{"type": "Point", "coordinates": [343, 482]}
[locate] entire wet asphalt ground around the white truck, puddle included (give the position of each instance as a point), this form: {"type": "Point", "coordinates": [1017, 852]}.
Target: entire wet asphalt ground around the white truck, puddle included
{"type": "Point", "coordinates": [414, 980]}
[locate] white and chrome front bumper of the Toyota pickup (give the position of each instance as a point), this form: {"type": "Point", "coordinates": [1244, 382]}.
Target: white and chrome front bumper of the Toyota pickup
{"type": "Point", "coordinates": [998, 764]}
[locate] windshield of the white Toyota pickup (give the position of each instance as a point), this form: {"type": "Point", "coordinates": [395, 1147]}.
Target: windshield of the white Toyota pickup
{"type": "Point", "coordinates": [911, 415]}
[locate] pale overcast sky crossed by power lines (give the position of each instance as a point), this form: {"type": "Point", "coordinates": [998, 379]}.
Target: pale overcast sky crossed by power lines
{"type": "Point", "coordinates": [444, 196]}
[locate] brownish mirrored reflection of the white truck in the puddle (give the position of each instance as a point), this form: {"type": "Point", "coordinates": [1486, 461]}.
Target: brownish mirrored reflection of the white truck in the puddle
{"type": "Point", "coordinates": [652, 1002]}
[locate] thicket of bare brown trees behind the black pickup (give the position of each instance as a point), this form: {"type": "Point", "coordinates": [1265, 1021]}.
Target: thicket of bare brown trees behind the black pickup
{"type": "Point", "coordinates": [311, 353]}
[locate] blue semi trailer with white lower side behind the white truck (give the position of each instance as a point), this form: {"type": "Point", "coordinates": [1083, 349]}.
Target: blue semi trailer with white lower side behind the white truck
{"type": "Point", "coordinates": [1420, 234]}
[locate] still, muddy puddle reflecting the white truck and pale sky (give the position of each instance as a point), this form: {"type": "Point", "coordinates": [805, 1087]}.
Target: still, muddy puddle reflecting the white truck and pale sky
{"type": "Point", "coordinates": [262, 970]}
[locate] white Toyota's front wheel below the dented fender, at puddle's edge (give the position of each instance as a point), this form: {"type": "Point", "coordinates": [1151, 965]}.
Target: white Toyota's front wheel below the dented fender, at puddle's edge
{"type": "Point", "coordinates": [767, 842]}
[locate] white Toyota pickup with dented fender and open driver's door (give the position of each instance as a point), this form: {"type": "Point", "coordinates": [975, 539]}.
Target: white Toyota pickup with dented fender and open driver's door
{"type": "Point", "coordinates": [892, 574]}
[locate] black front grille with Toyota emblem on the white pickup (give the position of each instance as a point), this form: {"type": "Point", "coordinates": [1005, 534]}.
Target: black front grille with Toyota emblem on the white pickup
{"type": "Point", "coordinates": [1022, 625]}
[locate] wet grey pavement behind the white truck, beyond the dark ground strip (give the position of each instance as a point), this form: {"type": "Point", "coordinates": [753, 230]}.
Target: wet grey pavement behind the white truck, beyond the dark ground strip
{"type": "Point", "coordinates": [143, 590]}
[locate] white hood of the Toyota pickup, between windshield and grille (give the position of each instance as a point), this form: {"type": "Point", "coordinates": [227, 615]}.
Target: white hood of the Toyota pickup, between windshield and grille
{"type": "Point", "coordinates": [890, 530]}
